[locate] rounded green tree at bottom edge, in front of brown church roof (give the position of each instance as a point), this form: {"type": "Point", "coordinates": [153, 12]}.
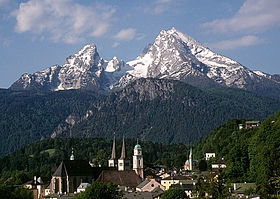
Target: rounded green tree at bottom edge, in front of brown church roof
{"type": "Point", "coordinates": [100, 191]}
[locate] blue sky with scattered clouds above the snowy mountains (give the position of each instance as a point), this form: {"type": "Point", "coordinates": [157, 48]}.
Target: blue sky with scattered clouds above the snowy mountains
{"type": "Point", "coordinates": [36, 34]}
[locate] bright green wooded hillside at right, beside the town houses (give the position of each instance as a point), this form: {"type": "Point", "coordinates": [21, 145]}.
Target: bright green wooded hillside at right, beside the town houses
{"type": "Point", "coordinates": [251, 155]}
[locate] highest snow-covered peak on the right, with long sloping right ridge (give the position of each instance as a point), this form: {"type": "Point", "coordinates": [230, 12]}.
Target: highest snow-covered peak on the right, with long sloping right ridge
{"type": "Point", "coordinates": [177, 56]}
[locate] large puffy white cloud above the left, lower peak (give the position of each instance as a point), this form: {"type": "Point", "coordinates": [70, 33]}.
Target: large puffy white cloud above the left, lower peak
{"type": "Point", "coordinates": [63, 20]}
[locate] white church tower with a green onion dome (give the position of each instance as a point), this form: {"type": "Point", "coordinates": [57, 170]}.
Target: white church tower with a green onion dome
{"type": "Point", "coordinates": [138, 160]}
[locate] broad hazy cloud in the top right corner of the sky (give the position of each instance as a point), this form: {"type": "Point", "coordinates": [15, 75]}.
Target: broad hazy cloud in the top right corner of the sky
{"type": "Point", "coordinates": [254, 16]}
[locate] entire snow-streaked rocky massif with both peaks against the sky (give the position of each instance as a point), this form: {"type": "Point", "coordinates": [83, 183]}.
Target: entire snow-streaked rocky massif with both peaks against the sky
{"type": "Point", "coordinates": [173, 55]}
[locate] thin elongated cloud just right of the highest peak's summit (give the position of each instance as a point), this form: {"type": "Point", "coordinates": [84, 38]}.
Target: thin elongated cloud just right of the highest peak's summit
{"type": "Point", "coordinates": [245, 41]}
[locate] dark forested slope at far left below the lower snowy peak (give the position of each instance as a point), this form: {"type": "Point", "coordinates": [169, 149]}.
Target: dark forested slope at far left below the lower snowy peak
{"type": "Point", "coordinates": [28, 116]}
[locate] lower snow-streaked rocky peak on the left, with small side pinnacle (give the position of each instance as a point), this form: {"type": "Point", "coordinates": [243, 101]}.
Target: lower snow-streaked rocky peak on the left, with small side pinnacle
{"type": "Point", "coordinates": [83, 70]}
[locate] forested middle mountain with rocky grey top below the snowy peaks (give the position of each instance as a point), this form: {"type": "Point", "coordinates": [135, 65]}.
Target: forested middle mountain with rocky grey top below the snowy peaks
{"type": "Point", "coordinates": [165, 111]}
